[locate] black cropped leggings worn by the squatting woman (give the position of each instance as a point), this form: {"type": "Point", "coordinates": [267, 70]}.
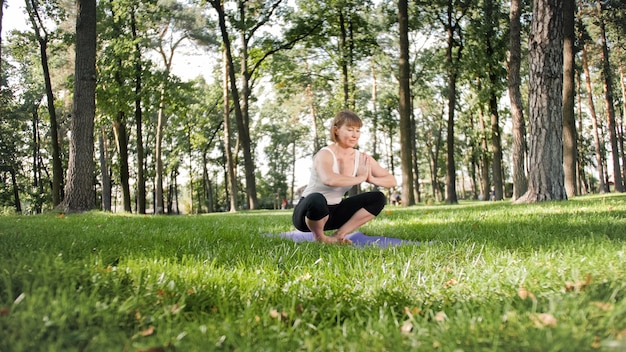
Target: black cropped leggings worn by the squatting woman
{"type": "Point", "coordinates": [315, 207]}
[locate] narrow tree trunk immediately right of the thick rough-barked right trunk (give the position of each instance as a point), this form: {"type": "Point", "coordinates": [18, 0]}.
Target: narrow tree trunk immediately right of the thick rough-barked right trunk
{"type": "Point", "coordinates": [570, 153]}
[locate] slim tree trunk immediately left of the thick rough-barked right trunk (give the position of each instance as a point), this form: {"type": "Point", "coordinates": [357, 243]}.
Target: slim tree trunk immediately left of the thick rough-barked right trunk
{"type": "Point", "coordinates": [520, 181]}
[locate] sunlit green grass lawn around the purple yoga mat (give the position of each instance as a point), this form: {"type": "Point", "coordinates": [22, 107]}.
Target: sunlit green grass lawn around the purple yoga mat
{"type": "Point", "coordinates": [489, 277]}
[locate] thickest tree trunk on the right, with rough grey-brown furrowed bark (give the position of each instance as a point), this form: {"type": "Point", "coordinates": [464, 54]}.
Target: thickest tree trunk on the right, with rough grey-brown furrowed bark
{"type": "Point", "coordinates": [546, 179]}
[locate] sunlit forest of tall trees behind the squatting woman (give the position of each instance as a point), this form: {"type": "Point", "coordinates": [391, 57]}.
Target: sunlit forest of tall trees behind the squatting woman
{"type": "Point", "coordinates": [461, 99]}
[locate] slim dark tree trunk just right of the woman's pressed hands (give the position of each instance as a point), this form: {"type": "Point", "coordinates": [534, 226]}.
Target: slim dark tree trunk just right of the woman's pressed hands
{"type": "Point", "coordinates": [404, 107]}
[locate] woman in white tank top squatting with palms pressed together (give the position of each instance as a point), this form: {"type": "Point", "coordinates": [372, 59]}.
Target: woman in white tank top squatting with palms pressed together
{"type": "Point", "coordinates": [337, 168]}
